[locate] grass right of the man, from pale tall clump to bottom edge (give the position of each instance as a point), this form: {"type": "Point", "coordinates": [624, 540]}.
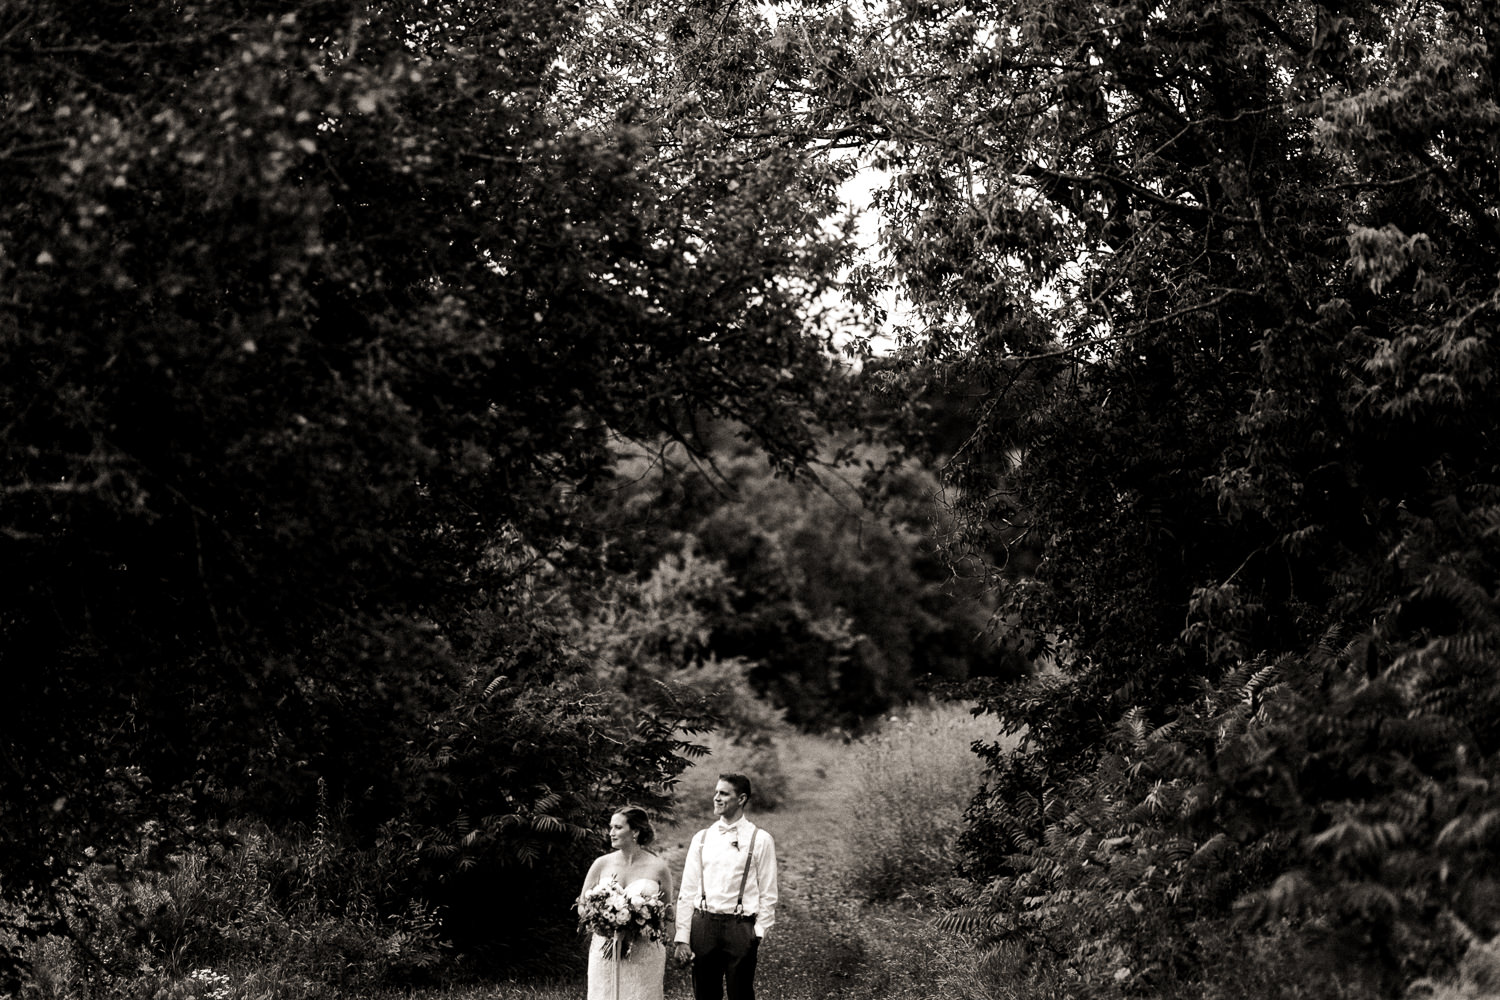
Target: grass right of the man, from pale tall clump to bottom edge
{"type": "Point", "coordinates": [881, 816]}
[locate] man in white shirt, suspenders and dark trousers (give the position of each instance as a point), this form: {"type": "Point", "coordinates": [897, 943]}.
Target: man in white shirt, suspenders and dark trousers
{"type": "Point", "coordinates": [727, 902]}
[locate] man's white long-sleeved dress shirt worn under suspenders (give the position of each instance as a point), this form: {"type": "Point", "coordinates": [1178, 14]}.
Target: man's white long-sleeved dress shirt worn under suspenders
{"type": "Point", "coordinates": [715, 867]}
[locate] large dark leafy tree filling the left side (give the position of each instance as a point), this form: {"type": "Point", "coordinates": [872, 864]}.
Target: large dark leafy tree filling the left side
{"type": "Point", "coordinates": [316, 320]}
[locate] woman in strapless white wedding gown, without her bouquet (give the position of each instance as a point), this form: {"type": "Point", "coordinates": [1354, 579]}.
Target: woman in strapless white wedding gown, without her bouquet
{"type": "Point", "coordinates": [641, 974]}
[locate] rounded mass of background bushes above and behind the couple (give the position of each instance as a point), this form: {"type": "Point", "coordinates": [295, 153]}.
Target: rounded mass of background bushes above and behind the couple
{"type": "Point", "coordinates": [830, 593]}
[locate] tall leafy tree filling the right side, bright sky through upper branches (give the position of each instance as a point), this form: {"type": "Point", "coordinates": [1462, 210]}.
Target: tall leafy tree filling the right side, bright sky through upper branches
{"type": "Point", "coordinates": [1226, 274]}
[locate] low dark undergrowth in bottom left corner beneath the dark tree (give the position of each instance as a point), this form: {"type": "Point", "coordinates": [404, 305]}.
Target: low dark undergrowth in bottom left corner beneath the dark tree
{"type": "Point", "coordinates": [310, 915]}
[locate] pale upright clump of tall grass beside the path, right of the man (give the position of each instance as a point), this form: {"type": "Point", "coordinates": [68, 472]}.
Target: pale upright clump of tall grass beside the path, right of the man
{"type": "Point", "coordinates": [910, 785]}
